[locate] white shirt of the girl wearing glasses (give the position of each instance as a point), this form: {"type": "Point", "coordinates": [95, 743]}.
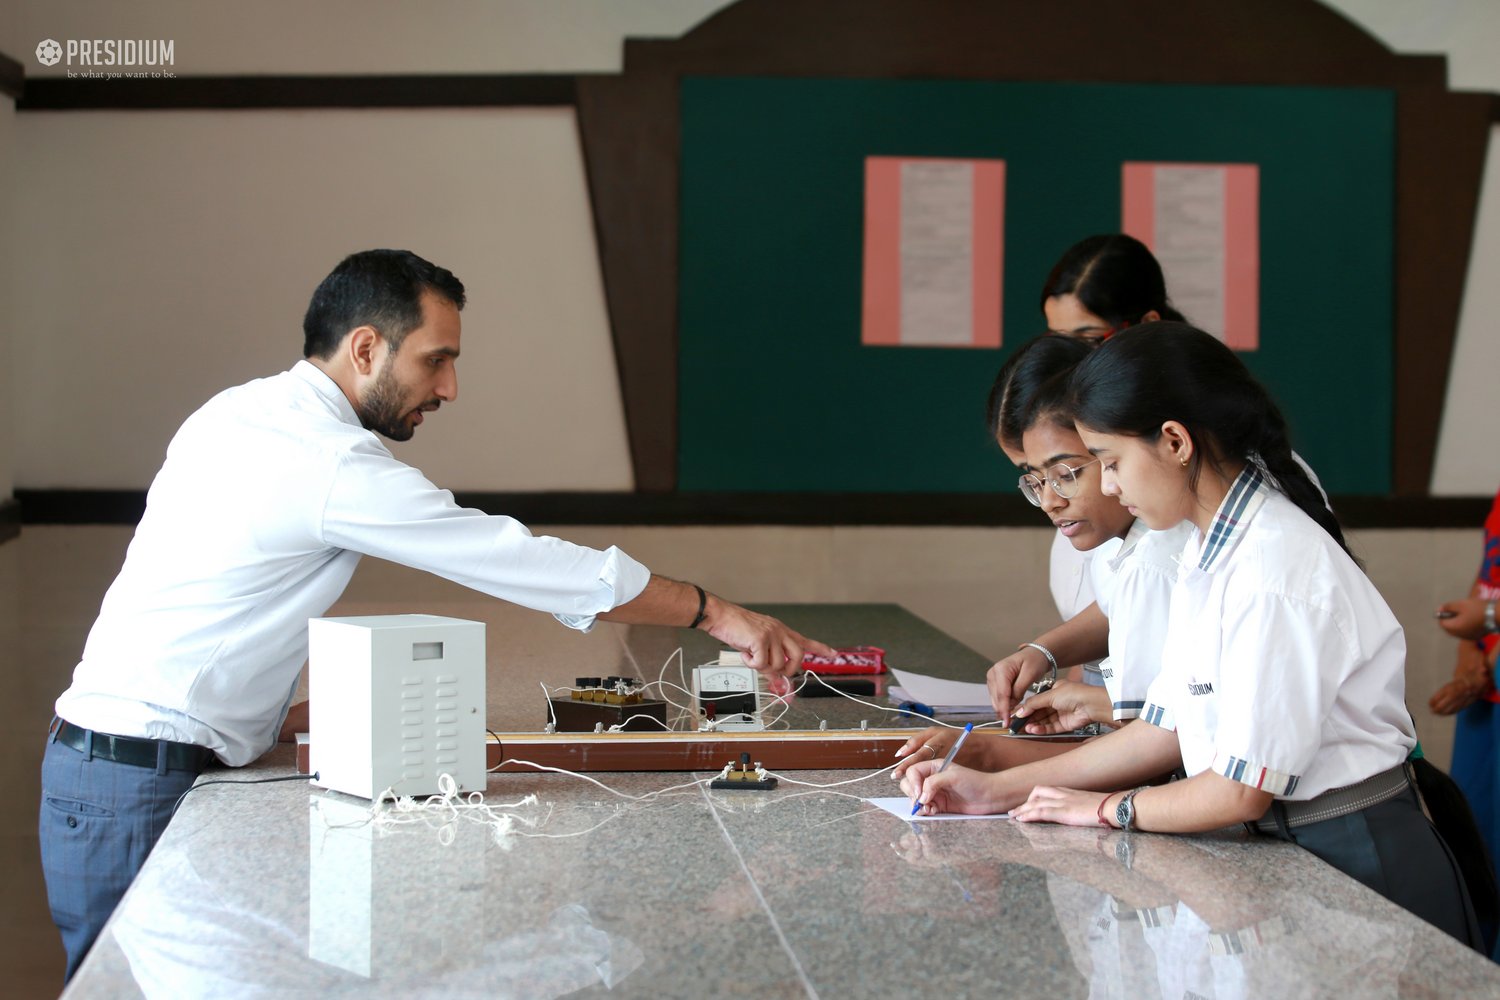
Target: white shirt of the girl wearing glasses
{"type": "Point", "coordinates": [1138, 599]}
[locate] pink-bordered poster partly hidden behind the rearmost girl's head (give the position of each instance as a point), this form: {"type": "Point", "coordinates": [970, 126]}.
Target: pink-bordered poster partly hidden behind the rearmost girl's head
{"type": "Point", "coordinates": [1202, 221]}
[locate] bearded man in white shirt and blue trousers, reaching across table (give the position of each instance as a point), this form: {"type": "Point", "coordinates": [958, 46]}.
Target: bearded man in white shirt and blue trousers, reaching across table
{"type": "Point", "coordinates": [269, 497]}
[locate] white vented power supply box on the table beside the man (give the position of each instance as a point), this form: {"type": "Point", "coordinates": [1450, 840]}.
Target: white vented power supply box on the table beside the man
{"type": "Point", "coordinates": [395, 702]}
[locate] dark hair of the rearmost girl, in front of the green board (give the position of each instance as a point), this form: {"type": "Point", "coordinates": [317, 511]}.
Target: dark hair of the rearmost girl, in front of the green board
{"type": "Point", "coordinates": [1115, 277]}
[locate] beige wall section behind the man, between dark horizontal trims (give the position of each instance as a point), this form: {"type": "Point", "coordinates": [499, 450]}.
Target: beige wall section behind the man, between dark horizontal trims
{"type": "Point", "coordinates": [170, 256]}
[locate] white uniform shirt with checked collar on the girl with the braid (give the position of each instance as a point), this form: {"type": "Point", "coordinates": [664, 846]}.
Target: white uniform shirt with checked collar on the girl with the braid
{"type": "Point", "coordinates": [1283, 666]}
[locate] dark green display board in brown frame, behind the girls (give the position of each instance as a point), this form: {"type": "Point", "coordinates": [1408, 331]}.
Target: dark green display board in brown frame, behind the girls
{"type": "Point", "coordinates": [776, 391]}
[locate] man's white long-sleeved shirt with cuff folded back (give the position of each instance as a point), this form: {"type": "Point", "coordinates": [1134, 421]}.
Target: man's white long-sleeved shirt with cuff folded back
{"type": "Point", "coordinates": [256, 522]}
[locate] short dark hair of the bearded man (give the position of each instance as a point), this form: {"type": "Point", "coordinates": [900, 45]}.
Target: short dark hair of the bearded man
{"type": "Point", "coordinates": [374, 289]}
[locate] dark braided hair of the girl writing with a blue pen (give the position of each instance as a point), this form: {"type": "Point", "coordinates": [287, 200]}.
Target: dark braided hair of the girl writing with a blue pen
{"type": "Point", "coordinates": [1156, 373]}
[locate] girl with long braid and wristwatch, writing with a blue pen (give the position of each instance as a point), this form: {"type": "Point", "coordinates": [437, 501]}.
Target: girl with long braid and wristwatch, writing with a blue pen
{"type": "Point", "coordinates": [1282, 690]}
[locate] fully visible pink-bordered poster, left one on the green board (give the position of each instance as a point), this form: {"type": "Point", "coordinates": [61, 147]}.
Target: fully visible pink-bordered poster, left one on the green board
{"type": "Point", "coordinates": [932, 253]}
